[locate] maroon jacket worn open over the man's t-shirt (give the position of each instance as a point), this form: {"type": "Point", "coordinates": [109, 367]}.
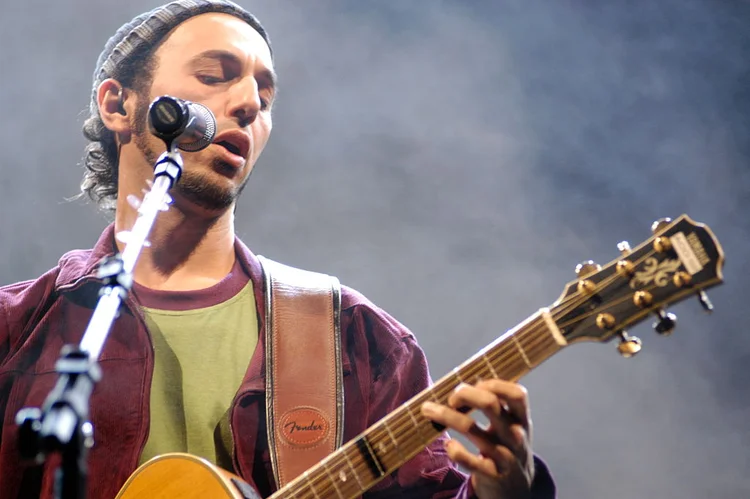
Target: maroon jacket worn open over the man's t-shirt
{"type": "Point", "coordinates": [383, 367]}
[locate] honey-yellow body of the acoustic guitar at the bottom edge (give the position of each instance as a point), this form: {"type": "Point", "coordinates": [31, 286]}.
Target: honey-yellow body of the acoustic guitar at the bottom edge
{"type": "Point", "coordinates": [169, 476]}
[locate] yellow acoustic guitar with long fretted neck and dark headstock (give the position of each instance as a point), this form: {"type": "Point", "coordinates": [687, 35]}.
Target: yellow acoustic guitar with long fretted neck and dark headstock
{"type": "Point", "coordinates": [681, 259]}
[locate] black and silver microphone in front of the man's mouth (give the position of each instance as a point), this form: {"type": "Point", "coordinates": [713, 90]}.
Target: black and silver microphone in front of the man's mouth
{"type": "Point", "coordinates": [190, 125]}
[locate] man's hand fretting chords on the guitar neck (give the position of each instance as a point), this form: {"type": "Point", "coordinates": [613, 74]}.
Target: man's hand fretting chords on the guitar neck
{"type": "Point", "coordinates": [504, 467]}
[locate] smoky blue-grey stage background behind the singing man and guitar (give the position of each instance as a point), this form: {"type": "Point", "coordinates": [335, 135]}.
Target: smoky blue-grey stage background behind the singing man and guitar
{"type": "Point", "coordinates": [454, 161]}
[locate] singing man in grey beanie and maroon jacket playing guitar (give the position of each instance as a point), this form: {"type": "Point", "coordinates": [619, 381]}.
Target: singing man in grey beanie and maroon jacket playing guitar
{"type": "Point", "coordinates": [182, 366]}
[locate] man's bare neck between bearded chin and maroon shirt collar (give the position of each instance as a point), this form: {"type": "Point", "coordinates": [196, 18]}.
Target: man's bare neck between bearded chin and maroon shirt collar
{"type": "Point", "coordinates": [186, 252]}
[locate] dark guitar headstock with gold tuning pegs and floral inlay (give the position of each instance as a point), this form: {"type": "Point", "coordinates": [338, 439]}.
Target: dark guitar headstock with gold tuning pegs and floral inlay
{"type": "Point", "coordinates": [679, 261]}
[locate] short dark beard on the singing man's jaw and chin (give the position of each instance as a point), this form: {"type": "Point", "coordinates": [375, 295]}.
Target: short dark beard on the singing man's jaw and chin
{"type": "Point", "coordinates": [196, 187]}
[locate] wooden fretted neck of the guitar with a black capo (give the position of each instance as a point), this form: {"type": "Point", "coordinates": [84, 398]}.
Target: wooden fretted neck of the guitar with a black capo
{"type": "Point", "coordinates": [387, 445]}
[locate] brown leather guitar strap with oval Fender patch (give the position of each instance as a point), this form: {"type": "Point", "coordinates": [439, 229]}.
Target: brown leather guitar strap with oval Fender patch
{"type": "Point", "coordinates": [304, 380]}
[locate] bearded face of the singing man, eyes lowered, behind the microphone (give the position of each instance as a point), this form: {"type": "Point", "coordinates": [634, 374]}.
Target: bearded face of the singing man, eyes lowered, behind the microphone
{"type": "Point", "coordinates": [220, 61]}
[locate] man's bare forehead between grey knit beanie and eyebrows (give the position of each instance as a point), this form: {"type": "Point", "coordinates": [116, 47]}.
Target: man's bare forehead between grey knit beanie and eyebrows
{"type": "Point", "coordinates": [215, 31]}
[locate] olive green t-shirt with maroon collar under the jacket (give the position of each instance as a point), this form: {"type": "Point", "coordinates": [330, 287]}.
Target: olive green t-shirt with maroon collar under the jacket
{"type": "Point", "coordinates": [203, 342]}
